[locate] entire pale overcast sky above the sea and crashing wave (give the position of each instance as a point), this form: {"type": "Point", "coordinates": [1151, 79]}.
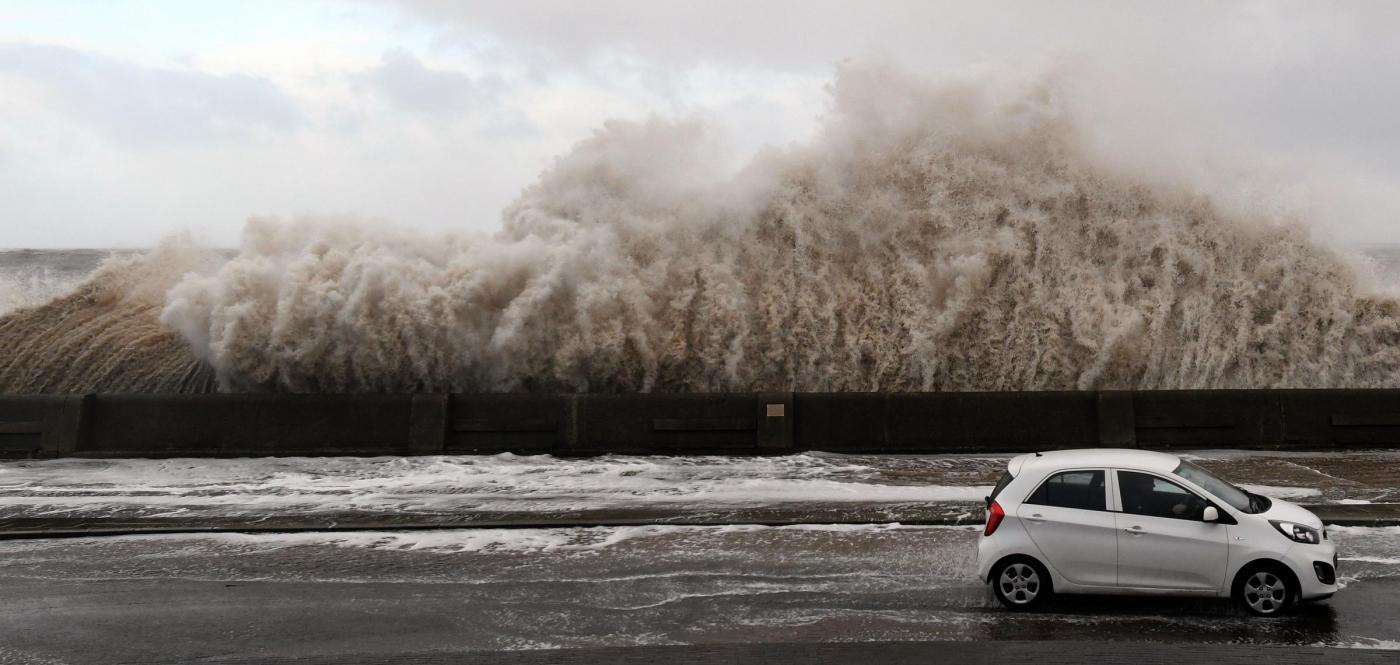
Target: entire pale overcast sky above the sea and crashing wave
{"type": "Point", "coordinates": [125, 121]}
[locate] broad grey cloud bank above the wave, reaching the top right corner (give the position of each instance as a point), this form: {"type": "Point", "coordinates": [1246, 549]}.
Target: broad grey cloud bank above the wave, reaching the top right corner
{"type": "Point", "coordinates": [1289, 72]}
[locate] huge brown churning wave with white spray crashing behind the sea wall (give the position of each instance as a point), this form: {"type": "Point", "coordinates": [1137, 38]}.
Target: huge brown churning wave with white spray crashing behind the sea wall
{"type": "Point", "coordinates": [927, 239]}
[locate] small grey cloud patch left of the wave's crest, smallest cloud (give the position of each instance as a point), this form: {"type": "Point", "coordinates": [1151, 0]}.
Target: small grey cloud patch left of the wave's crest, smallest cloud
{"type": "Point", "coordinates": [405, 82]}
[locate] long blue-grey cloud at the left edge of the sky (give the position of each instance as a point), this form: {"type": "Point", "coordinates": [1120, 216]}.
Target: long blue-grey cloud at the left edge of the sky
{"type": "Point", "coordinates": [143, 106]}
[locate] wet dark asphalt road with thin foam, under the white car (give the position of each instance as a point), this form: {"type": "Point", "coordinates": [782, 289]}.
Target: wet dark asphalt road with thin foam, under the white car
{"type": "Point", "coordinates": [184, 598]}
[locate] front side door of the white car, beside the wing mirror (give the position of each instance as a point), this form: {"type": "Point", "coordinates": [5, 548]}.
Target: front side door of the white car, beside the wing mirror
{"type": "Point", "coordinates": [1163, 540]}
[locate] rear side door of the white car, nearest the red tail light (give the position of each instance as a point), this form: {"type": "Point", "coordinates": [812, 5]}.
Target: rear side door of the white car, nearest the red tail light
{"type": "Point", "coordinates": [1069, 520]}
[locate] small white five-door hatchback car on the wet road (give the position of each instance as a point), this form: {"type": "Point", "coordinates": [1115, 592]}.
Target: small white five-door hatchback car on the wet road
{"type": "Point", "coordinates": [1121, 521]}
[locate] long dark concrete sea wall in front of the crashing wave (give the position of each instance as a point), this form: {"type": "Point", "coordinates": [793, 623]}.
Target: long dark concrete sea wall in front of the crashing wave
{"type": "Point", "coordinates": [705, 423]}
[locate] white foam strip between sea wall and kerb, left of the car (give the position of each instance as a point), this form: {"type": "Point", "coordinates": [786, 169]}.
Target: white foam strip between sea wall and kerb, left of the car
{"type": "Point", "coordinates": [447, 484]}
